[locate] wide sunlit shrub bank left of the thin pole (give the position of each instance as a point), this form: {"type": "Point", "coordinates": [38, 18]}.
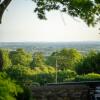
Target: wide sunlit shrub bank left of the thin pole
{"type": "Point", "coordinates": [25, 75]}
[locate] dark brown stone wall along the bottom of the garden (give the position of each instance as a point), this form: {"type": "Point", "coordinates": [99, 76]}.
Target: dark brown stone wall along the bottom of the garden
{"type": "Point", "coordinates": [61, 92]}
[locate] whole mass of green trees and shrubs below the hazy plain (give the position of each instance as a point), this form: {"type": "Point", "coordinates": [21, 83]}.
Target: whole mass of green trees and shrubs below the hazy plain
{"type": "Point", "coordinates": [21, 70]}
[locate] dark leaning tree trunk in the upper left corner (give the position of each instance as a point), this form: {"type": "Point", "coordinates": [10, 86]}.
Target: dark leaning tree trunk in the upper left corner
{"type": "Point", "coordinates": [3, 7]}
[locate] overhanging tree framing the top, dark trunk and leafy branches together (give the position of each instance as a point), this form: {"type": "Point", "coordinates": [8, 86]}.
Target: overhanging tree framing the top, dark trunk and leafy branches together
{"type": "Point", "coordinates": [88, 10]}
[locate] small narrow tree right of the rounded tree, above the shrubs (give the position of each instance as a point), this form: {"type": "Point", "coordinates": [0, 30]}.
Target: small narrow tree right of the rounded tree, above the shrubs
{"type": "Point", "coordinates": [38, 60]}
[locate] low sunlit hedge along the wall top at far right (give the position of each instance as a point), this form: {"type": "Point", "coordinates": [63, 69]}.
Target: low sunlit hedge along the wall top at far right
{"type": "Point", "coordinates": [88, 77]}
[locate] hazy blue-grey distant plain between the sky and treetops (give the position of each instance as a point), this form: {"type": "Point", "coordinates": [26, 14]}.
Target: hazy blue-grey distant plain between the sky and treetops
{"type": "Point", "coordinates": [49, 47]}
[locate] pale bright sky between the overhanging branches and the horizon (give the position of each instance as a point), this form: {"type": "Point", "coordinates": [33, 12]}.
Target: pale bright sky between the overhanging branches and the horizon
{"type": "Point", "coordinates": [20, 24]}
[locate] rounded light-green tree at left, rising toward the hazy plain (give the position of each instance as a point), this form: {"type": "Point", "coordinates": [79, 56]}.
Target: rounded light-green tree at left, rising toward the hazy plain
{"type": "Point", "coordinates": [20, 56]}
